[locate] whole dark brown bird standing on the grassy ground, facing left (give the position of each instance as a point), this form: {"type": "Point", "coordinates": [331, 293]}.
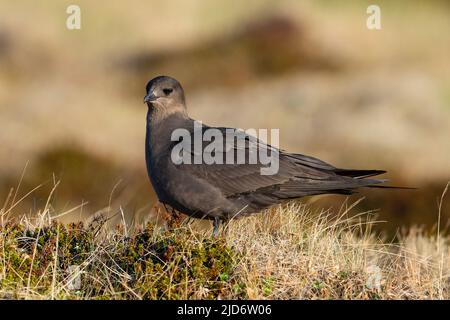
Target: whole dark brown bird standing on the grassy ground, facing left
{"type": "Point", "coordinates": [223, 191]}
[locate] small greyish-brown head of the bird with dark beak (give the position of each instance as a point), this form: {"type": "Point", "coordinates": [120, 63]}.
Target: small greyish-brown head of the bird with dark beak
{"type": "Point", "coordinates": [164, 95]}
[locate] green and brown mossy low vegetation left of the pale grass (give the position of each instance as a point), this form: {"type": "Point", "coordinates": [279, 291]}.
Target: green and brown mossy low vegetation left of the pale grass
{"type": "Point", "coordinates": [76, 262]}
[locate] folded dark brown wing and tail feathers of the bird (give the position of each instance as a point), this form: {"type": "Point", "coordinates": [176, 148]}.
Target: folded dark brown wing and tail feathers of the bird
{"type": "Point", "coordinates": [298, 174]}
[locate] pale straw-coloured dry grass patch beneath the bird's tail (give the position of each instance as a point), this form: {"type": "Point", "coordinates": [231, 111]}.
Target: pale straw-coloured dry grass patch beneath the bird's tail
{"type": "Point", "coordinates": [305, 256]}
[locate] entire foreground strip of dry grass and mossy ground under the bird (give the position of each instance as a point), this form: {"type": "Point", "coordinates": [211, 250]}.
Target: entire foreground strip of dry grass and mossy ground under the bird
{"type": "Point", "coordinates": [286, 253]}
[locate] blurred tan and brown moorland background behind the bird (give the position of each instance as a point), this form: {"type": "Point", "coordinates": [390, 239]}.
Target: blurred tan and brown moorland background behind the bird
{"type": "Point", "coordinates": [71, 100]}
